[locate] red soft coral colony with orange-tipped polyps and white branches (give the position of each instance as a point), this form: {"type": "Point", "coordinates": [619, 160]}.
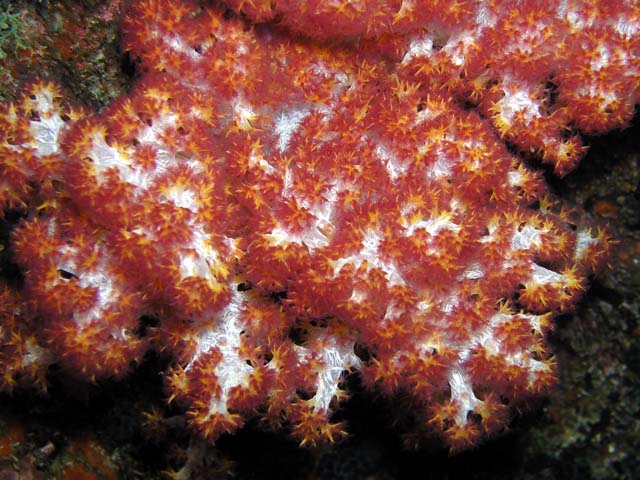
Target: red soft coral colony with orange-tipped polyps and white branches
{"type": "Point", "coordinates": [298, 190]}
